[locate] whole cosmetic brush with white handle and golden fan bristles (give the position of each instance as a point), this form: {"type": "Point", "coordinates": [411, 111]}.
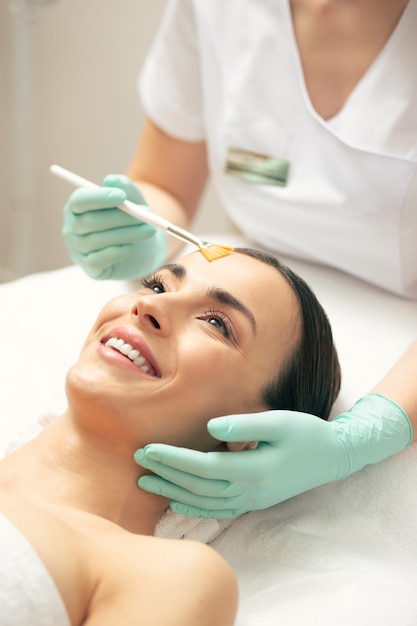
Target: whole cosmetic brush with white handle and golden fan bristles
{"type": "Point", "coordinates": [210, 251]}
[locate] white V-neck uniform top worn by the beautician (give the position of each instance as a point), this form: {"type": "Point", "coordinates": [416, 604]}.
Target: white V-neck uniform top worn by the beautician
{"type": "Point", "coordinates": [229, 72]}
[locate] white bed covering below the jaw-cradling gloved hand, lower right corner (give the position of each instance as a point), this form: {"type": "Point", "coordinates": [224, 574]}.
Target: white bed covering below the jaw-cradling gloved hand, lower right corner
{"type": "Point", "coordinates": [343, 554]}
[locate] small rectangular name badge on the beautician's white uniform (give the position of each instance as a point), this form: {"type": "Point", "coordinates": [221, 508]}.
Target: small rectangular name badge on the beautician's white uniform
{"type": "Point", "coordinates": [257, 168]}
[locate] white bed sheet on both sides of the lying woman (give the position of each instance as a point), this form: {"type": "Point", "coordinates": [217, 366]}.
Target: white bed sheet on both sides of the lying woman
{"type": "Point", "coordinates": [345, 553]}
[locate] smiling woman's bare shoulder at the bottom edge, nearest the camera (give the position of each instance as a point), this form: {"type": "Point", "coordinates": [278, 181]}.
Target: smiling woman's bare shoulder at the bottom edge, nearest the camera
{"type": "Point", "coordinates": [164, 581]}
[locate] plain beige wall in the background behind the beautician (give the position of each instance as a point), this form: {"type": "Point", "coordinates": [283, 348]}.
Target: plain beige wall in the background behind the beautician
{"type": "Point", "coordinates": [77, 106]}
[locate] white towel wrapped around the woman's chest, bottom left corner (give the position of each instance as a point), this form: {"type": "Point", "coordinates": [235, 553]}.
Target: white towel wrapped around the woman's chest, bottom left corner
{"type": "Point", "coordinates": [28, 595]}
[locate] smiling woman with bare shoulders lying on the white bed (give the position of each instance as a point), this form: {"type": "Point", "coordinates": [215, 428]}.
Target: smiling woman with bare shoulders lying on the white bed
{"type": "Point", "coordinates": [197, 340]}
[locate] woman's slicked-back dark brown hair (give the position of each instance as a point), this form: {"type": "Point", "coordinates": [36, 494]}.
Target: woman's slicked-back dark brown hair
{"type": "Point", "coordinates": [310, 380]}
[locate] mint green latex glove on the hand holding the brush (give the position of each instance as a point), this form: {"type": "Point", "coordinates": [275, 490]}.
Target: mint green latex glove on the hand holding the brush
{"type": "Point", "coordinates": [107, 242]}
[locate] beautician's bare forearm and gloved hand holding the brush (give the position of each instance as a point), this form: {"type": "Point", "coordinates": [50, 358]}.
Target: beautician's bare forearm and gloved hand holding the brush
{"type": "Point", "coordinates": [169, 176]}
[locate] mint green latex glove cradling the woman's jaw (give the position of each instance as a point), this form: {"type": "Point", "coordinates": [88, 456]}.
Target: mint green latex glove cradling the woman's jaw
{"type": "Point", "coordinates": [296, 452]}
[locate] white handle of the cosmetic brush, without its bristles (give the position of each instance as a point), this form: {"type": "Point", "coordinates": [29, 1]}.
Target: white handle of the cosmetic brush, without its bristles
{"type": "Point", "coordinates": [138, 211]}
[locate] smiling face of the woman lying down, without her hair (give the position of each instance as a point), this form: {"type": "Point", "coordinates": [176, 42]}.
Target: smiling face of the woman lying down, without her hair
{"type": "Point", "coordinates": [198, 340]}
